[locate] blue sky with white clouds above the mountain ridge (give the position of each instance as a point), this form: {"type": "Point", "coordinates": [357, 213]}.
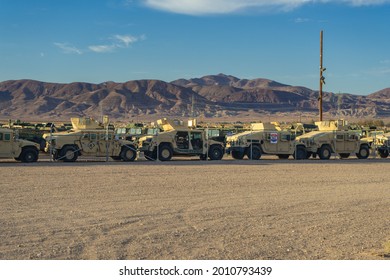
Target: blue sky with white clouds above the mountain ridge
{"type": "Point", "coordinates": [120, 40]}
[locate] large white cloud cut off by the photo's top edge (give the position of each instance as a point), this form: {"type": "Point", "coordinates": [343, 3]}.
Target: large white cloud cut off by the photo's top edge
{"type": "Point", "coordinates": [204, 7]}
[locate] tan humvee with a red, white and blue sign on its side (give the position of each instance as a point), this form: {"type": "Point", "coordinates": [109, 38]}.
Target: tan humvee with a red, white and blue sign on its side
{"type": "Point", "coordinates": [264, 138]}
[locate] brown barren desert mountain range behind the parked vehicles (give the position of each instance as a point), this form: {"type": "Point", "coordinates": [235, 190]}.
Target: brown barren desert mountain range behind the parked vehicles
{"type": "Point", "coordinates": [214, 96]}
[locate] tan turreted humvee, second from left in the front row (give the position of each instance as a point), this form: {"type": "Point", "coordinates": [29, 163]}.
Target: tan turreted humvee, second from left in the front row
{"type": "Point", "coordinates": [88, 138]}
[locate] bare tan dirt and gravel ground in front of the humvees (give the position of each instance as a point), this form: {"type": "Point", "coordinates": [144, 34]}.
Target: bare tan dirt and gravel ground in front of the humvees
{"type": "Point", "coordinates": [267, 209]}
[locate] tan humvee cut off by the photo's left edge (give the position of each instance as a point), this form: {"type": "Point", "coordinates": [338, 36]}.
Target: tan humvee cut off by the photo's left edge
{"type": "Point", "coordinates": [13, 147]}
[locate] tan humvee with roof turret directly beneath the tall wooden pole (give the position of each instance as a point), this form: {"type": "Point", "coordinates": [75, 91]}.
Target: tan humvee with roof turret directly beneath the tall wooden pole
{"type": "Point", "coordinates": [334, 137]}
